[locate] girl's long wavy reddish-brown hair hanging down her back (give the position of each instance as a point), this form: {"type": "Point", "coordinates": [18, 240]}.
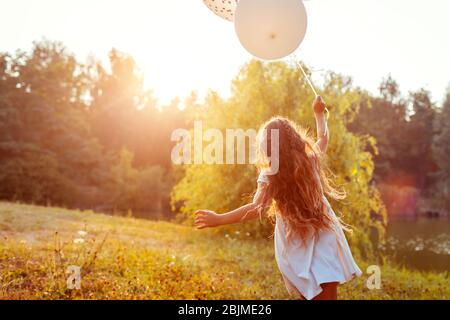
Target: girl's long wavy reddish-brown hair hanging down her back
{"type": "Point", "coordinates": [299, 187]}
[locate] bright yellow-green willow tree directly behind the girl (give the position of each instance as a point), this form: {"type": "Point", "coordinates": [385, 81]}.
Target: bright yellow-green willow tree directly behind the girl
{"type": "Point", "coordinates": [259, 92]}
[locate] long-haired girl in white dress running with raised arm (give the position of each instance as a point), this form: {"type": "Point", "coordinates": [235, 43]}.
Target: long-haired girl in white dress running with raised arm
{"type": "Point", "coordinates": [311, 250]}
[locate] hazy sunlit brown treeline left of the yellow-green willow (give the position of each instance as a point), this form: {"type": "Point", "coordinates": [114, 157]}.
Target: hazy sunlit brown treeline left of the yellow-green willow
{"type": "Point", "coordinates": [78, 135]}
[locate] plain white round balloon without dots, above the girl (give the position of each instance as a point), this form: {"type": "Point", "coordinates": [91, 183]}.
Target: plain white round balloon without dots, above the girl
{"type": "Point", "coordinates": [270, 29]}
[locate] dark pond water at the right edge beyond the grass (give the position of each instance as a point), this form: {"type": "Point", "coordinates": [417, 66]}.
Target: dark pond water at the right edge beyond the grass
{"type": "Point", "coordinates": [422, 244]}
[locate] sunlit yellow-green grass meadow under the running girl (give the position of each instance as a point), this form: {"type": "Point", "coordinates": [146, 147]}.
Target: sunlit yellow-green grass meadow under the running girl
{"type": "Point", "coordinates": [126, 258]}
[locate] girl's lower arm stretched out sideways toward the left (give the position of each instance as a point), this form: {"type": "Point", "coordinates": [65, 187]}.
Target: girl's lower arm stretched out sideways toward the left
{"type": "Point", "coordinates": [209, 219]}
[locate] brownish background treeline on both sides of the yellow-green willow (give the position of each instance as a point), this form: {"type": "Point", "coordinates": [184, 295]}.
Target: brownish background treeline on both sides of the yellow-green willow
{"type": "Point", "coordinates": [86, 135]}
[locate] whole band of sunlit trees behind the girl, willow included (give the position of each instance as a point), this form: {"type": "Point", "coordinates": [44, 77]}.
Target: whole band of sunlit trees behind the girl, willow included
{"type": "Point", "coordinates": [63, 125]}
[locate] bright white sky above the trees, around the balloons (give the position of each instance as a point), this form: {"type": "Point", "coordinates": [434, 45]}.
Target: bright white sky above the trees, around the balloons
{"type": "Point", "coordinates": [181, 46]}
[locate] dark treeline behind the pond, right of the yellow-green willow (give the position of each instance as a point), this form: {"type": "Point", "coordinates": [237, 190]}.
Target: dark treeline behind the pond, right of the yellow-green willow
{"type": "Point", "coordinates": [411, 154]}
